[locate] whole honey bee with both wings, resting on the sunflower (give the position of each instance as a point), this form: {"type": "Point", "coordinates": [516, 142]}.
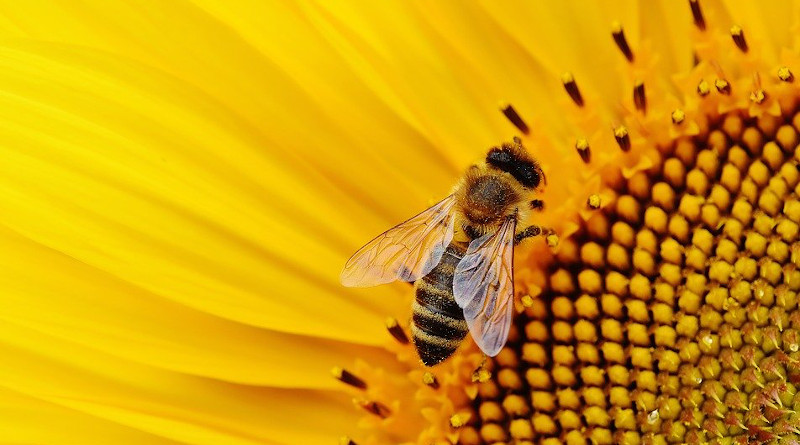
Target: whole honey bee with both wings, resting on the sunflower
{"type": "Point", "coordinates": [462, 283]}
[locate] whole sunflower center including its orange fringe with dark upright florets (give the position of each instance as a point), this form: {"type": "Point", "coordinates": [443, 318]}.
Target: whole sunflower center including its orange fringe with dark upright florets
{"type": "Point", "coordinates": [671, 315]}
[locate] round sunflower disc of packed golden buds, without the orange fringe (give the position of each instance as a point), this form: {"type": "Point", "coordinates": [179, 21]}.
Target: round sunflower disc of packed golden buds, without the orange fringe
{"type": "Point", "coordinates": [671, 316]}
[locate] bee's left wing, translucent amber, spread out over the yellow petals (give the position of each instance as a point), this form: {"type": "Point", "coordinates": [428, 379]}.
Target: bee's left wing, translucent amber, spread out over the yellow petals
{"type": "Point", "coordinates": [405, 252]}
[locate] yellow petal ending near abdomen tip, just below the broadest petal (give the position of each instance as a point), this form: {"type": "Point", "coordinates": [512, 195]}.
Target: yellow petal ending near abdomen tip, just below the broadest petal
{"type": "Point", "coordinates": [84, 305]}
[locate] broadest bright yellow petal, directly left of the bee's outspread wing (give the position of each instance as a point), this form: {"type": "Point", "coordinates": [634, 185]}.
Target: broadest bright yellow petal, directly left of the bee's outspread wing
{"type": "Point", "coordinates": [130, 186]}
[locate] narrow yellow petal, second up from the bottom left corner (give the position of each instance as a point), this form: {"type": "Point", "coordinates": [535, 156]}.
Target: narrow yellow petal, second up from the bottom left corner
{"type": "Point", "coordinates": [167, 404]}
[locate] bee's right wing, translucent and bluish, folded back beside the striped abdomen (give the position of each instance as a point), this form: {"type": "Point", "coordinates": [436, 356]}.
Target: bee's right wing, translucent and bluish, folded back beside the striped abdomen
{"type": "Point", "coordinates": [483, 286]}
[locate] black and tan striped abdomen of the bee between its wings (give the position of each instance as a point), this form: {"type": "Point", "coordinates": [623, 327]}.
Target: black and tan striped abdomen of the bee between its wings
{"type": "Point", "coordinates": [437, 324]}
